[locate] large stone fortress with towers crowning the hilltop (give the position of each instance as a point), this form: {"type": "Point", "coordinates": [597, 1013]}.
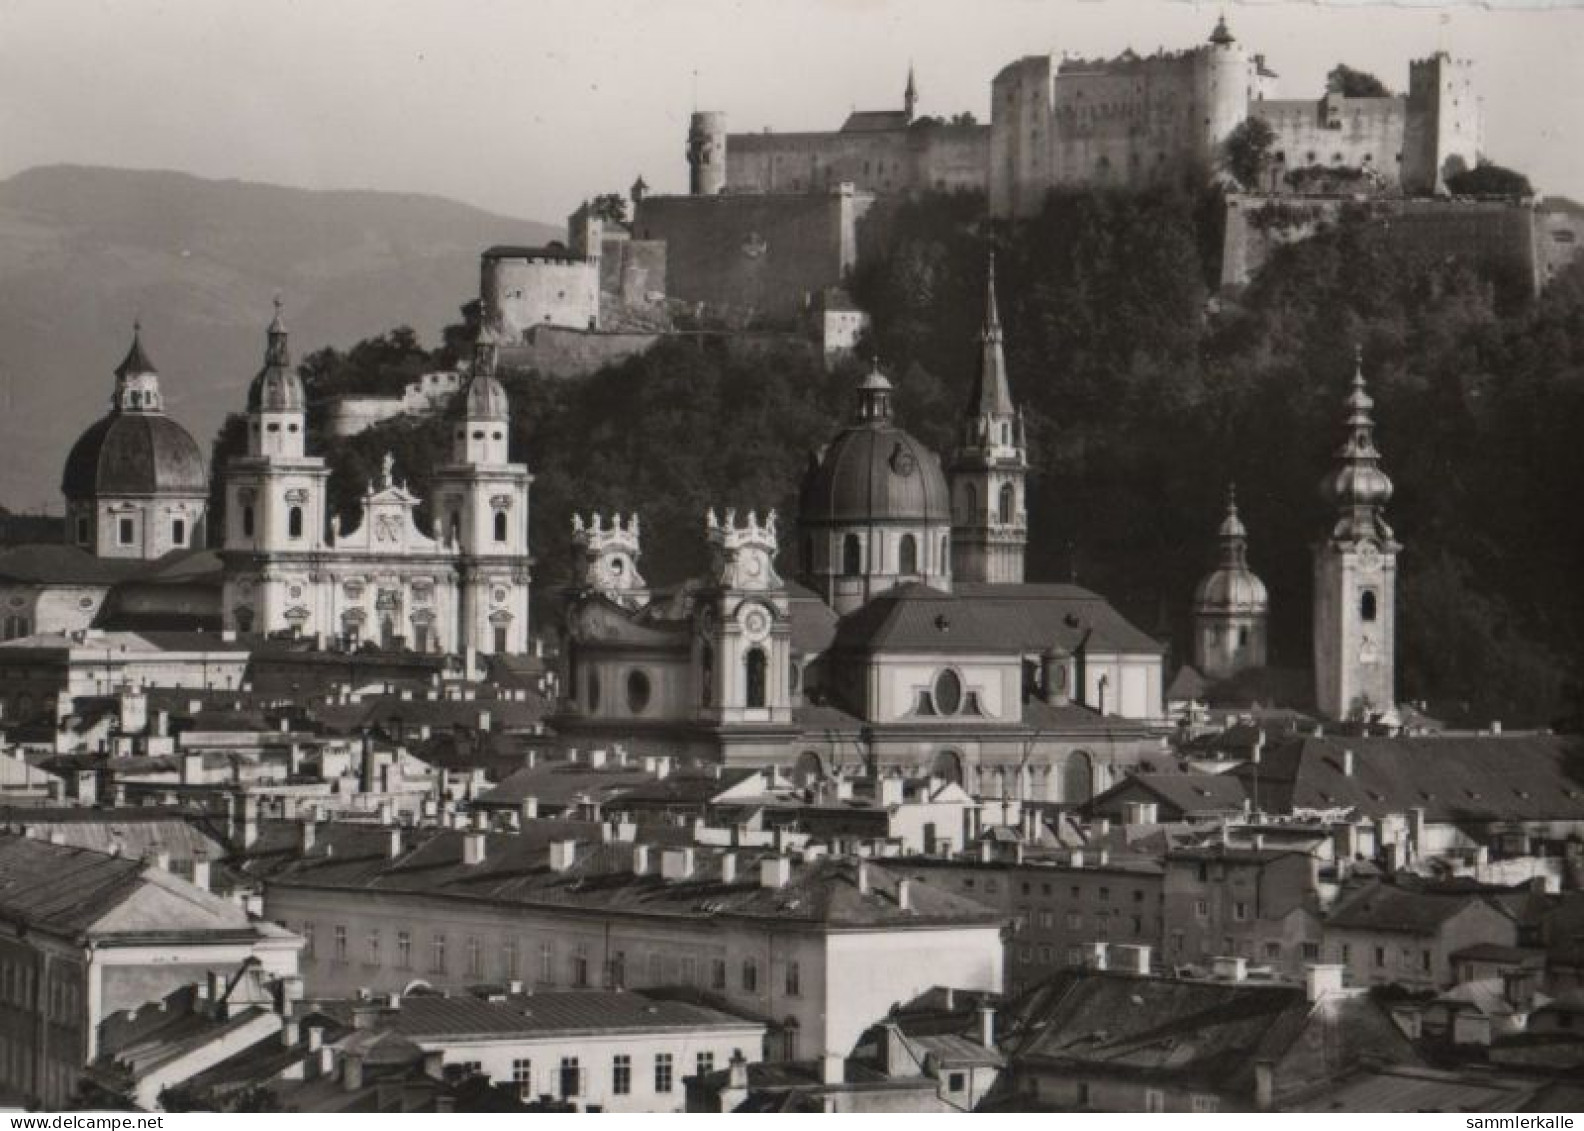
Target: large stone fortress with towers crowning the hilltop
{"type": "Point", "coordinates": [1125, 121]}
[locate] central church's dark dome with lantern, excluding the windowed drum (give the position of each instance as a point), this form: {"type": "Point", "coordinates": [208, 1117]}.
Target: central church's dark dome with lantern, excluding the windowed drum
{"type": "Point", "coordinates": [875, 471]}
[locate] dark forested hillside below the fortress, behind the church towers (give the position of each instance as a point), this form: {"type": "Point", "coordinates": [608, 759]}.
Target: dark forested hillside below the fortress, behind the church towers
{"type": "Point", "coordinates": [1144, 400]}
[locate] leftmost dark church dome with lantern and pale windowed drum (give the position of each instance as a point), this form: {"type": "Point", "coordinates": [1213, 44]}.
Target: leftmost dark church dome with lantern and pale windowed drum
{"type": "Point", "coordinates": [135, 481]}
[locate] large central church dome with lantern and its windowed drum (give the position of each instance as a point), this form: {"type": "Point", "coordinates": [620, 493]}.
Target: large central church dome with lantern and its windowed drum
{"type": "Point", "coordinates": [874, 508]}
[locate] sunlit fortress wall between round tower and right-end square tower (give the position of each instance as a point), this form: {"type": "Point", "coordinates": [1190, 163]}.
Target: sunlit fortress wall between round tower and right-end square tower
{"type": "Point", "coordinates": [1346, 132]}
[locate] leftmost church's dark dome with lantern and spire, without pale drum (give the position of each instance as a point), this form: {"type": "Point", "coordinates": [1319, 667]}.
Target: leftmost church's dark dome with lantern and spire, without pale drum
{"type": "Point", "coordinates": [135, 449]}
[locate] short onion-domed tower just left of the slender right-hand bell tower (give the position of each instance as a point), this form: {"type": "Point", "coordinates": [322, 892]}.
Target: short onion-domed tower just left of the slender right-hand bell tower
{"type": "Point", "coordinates": [1230, 607]}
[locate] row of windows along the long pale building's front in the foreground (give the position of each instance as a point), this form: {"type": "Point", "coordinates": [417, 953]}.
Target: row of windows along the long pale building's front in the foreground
{"type": "Point", "coordinates": [581, 969]}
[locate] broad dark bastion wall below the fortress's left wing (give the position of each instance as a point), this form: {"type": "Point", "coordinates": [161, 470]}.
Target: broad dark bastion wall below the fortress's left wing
{"type": "Point", "coordinates": [758, 253]}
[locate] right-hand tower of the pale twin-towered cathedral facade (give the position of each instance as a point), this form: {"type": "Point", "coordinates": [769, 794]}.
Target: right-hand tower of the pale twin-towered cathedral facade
{"type": "Point", "coordinates": [481, 512]}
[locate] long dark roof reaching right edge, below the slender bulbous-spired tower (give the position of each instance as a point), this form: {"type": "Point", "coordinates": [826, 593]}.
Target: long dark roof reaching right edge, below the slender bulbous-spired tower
{"type": "Point", "coordinates": [1485, 779]}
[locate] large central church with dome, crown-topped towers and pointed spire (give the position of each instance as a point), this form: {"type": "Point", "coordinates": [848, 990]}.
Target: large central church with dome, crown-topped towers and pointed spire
{"type": "Point", "coordinates": [907, 641]}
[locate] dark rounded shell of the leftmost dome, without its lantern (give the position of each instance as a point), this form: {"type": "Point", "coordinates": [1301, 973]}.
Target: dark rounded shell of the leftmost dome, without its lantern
{"type": "Point", "coordinates": [134, 454]}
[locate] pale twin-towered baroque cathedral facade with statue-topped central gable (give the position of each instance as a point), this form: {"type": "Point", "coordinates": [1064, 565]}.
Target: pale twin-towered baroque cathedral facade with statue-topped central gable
{"type": "Point", "coordinates": [384, 581]}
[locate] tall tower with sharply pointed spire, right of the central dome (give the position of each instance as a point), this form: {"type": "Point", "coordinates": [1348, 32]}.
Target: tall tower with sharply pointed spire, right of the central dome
{"type": "Point", "coordinates": [989, 468]}
